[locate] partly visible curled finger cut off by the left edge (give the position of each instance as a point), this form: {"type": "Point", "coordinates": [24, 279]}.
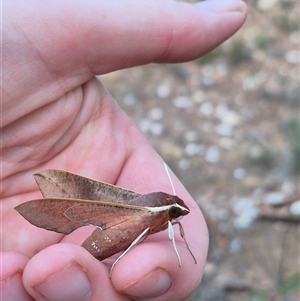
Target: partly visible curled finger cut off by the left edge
{"type": "Point", "coordinates": [12, 266]}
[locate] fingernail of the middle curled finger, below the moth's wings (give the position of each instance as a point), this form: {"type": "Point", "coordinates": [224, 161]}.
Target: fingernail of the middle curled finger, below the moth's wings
{"type": "Point", "coordinates": [70, 283]}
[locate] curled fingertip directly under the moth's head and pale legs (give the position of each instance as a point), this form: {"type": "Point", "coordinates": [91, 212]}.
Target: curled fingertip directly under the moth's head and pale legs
{"type": "Point", "coordinates": [151, 270]}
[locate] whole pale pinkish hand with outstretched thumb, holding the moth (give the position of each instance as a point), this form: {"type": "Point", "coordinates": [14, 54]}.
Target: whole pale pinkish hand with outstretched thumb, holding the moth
{"type": "Point", "coordinates": [56, 114]}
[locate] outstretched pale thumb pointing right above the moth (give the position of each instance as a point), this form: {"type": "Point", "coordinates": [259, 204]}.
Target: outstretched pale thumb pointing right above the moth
{"type": "Point", "coordinates": [88, 38]}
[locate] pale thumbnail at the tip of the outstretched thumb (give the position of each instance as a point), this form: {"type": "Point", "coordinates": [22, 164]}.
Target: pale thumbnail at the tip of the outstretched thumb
{"type": "Point", "coordinates": [222, 5]}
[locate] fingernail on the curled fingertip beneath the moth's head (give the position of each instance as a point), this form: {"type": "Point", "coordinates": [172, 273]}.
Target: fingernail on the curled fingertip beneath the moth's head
{"type": "Point", "coordinates": [151, 285]}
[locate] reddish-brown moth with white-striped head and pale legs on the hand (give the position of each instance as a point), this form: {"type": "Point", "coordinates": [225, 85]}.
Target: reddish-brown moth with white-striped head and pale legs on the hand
{"type": "Point", "coordinates": [122, 217]}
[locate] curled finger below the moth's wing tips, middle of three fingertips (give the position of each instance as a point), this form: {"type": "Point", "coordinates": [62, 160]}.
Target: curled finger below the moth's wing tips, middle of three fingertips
{"type": "Point", "coordinates": [68, 272]}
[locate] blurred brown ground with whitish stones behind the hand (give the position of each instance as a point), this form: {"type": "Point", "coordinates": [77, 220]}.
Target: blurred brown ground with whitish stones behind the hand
{"type": "Point", "coordinates": [228, 125]}
